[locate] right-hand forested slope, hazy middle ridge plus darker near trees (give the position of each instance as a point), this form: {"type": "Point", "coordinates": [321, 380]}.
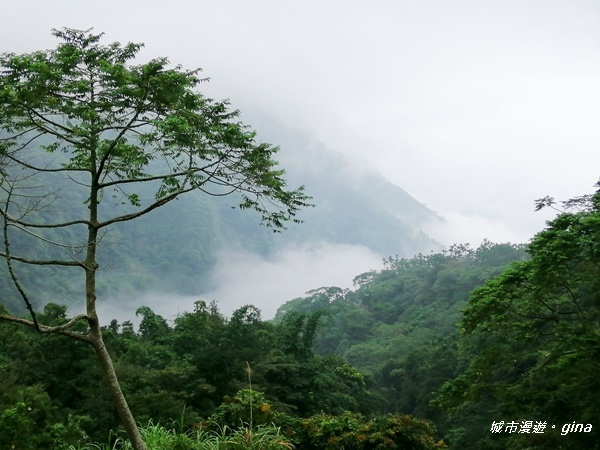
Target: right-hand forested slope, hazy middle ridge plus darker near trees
{"type": "Point", "coordinates": [497, 346]}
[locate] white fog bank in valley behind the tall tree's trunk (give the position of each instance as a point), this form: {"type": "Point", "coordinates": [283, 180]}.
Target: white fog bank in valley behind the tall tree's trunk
{"type": "Point", "coordinates": [244, 278]}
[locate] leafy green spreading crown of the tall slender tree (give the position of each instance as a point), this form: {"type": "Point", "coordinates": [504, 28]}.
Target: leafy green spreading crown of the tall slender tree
{"type": "Point", "coordinates": [124, 124]}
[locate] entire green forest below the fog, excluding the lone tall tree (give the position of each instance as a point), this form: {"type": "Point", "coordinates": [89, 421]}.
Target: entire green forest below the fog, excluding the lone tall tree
{"type": "Point", "coordinates": [462, 339]}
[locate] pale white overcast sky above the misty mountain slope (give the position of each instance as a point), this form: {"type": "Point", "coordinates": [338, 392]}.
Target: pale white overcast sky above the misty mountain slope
{"type": "Point", "coordinates": [476, 108]}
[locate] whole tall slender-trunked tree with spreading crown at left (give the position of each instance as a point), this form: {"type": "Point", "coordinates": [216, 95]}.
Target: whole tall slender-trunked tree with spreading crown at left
{"type": "Point", "coordinates": [80, 123]}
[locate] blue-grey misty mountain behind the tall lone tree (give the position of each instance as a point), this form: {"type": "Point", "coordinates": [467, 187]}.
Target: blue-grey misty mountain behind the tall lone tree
{"type": "Point", "coordinates": [174, 248]}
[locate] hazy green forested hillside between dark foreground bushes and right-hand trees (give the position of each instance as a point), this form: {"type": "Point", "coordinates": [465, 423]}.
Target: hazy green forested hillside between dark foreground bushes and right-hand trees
{"type": "Point", "coordinates": [399, 325]}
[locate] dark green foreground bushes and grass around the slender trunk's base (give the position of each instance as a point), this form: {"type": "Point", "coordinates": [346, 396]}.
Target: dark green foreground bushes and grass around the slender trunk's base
{"type": "Point", "coordinates": [239, 380]}
